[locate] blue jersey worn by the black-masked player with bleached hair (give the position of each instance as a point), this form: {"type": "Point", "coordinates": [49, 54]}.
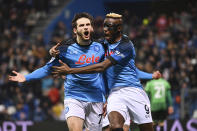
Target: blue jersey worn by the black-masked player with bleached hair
{"type": "Point", "coordinates": [123, 73]}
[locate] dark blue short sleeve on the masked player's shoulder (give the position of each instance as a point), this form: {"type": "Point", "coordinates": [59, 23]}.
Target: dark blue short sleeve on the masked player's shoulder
{"type": "Point", "coordinates": [122, 53]}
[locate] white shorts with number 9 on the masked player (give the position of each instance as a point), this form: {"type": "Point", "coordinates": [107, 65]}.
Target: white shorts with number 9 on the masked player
{"type": "Point", "coordinates": [132, 100]}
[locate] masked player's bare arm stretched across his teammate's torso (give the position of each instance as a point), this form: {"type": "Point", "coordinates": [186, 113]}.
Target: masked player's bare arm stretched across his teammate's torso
{"type": "Point", "coordinates": [64, 69]}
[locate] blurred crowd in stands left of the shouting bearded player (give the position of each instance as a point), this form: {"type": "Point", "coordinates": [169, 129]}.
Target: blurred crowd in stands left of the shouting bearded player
{"type": "Point", "coordinates": [36, 100]}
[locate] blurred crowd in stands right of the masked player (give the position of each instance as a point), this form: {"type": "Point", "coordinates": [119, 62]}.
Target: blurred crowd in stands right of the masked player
{"type": "Point", "coordinates": [168, 42]}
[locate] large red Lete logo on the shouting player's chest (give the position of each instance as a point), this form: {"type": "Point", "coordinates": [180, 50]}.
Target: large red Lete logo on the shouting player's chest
{"type": "Point", "coordinates": [84, 59]}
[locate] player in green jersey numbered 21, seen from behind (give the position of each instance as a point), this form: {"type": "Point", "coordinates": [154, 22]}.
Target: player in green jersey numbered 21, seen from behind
{"type": "Point", "coordinates": [160, 99]}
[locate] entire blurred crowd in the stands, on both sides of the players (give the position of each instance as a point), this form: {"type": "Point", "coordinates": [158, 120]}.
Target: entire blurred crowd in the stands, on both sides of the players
{"type": "Point", "coordinates": [163, 41]}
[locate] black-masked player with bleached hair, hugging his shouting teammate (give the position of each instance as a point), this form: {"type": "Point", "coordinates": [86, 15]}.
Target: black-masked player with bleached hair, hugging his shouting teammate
{"type": "Point", "coordinates": [126, 91]}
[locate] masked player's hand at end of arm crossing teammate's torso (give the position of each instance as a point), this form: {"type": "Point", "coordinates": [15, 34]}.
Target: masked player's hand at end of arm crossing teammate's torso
{"type": "Point", "coordinates": [63, 69]}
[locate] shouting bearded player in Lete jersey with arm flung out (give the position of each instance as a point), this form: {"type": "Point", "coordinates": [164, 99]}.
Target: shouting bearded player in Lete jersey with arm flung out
{"type": "Point", "coordinates": [83, 92]}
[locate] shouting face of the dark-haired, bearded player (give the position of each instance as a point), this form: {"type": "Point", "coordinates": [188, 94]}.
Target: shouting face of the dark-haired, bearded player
{"type": "Point", "coordinates": [83, 29]}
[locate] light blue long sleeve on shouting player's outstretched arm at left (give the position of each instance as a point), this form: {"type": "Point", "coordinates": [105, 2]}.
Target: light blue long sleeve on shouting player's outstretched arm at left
{"type": "Point", "coordinates": [43, 71]}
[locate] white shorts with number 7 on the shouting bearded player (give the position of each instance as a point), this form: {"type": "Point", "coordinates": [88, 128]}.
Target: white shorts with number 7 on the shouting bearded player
{"type": "Point", "coordinates": [90, 112]}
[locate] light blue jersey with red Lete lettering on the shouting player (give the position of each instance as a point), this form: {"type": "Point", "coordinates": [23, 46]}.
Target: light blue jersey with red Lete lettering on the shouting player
{"type": "Point", "coordinates": [85, 87]}
